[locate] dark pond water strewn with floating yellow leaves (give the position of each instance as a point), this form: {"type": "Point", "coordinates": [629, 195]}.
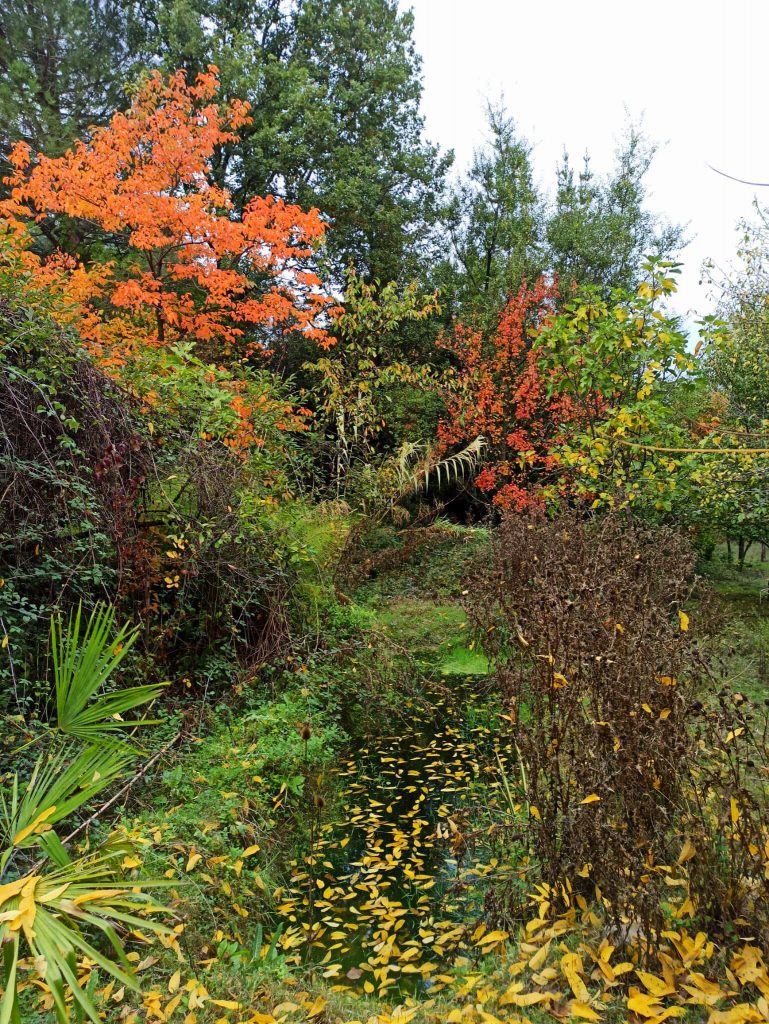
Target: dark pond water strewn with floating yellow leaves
{"type": "Point", "coordinates": [391, 893]}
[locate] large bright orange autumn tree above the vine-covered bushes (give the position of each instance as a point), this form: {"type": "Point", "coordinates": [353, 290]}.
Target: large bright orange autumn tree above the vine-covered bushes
{"type": "Point", "coordinates": [187, 269]}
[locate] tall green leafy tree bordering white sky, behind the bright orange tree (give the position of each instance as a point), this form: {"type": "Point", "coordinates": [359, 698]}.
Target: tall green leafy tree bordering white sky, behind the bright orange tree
{"type": "Point", "coordinates": [335, 90]}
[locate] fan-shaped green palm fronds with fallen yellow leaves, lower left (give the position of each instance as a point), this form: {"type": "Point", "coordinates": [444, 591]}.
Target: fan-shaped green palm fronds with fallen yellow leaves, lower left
{"type": "Point", "coordinates": [50, 901]}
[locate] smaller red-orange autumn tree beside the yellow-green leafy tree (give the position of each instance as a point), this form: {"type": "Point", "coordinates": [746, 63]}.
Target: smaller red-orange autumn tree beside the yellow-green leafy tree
{"type": "Point", "coordinates": [502, 394]}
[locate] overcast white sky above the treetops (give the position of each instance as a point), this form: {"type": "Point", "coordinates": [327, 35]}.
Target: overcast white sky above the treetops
{"type": "Point", "coordinates": [696, 71]}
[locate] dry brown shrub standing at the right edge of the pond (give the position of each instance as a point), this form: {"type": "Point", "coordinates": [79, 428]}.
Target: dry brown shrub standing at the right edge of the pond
{"type": "Point", "coordinates": [601, 673]}
